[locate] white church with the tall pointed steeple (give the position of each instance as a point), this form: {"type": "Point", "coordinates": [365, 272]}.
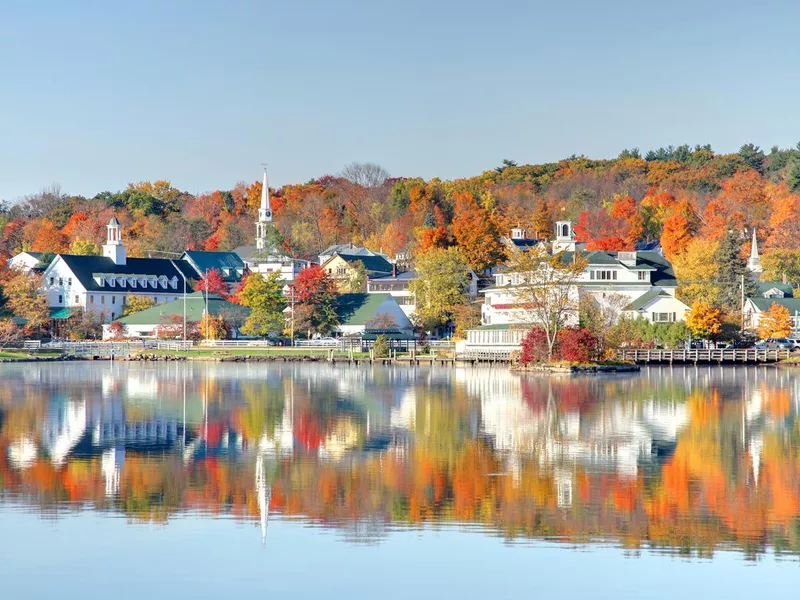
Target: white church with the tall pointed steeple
{"type": "Point", "coordinates": [265, 257]}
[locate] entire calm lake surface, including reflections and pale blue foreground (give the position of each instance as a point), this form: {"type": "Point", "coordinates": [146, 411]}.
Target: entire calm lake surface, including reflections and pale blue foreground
{"type": "Point", "coordinates": [310, 481]}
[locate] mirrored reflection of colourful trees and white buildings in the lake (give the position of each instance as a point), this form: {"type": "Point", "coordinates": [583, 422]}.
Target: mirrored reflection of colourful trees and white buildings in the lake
{"type": "Point", "coordinates": [678, 460]}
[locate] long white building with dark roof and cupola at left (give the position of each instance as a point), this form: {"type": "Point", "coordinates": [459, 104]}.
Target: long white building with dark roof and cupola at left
{"type": "Point", "coordinates": [103, 283]}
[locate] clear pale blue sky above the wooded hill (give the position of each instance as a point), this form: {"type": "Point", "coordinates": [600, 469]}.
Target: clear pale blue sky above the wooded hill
{"type": "Point", "coordinates": [98, 94]}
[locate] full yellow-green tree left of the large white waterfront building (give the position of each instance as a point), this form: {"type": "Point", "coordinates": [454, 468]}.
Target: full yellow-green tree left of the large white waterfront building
{"type": "Point", "coordinates": [440, 286]}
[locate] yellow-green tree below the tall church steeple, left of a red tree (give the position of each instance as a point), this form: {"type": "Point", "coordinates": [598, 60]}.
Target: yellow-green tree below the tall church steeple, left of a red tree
{"type": "Point", "coordinates": [264, 297]}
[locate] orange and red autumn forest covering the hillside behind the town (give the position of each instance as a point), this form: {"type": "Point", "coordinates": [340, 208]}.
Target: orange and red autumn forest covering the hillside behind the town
{"type": "Point", "coordinates": [699, 205]}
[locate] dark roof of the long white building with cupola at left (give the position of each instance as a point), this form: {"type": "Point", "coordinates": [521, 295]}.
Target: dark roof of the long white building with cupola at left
{"type": "Point", "coordinates": [85, 266]}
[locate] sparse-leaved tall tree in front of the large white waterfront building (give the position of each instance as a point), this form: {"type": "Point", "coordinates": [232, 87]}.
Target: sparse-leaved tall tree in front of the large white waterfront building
{"type": "Point", "coordinates": [546, 291]}
